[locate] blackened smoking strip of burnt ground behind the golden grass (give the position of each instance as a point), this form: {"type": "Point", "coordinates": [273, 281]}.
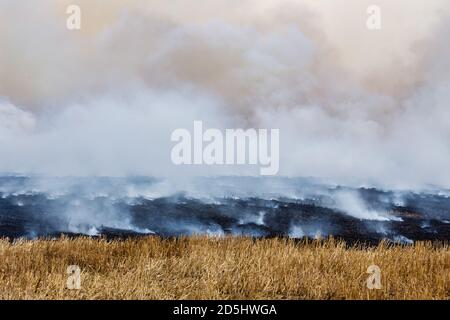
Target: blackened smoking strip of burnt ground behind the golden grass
{"type": "Point", "coordinates": [34, 207]}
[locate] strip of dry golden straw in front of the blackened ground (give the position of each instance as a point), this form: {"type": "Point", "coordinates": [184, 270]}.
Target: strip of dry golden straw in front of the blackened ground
{"type": "Point", "coordinates": [220, 268]}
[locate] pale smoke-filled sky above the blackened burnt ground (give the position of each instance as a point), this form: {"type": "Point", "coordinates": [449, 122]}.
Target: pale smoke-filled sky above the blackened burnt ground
{"type": "Point", "coordinates": [351, 104]}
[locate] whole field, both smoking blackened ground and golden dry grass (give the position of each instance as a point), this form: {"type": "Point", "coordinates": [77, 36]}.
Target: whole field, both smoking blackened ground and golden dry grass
{"type": "Point", "coordinates": [220, 238]}
